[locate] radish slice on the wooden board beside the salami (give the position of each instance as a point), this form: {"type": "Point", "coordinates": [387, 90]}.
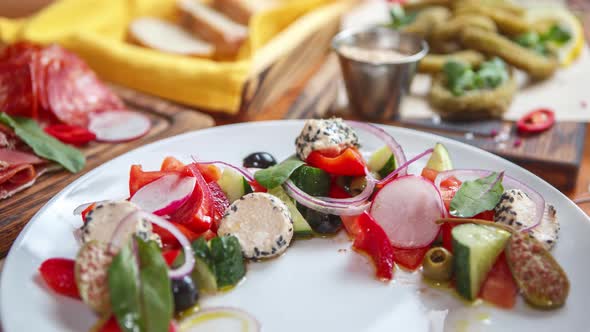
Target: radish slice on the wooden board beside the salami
{"type": "Point", "coordinates": [118, 126]}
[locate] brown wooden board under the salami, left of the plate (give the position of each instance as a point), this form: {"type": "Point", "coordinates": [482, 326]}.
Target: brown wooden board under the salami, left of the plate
{"type": "Point", "coordinates": [168, 119]}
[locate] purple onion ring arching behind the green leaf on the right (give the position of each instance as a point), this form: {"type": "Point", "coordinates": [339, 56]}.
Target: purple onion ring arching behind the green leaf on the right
{"type": "Point", "coordinates": [508, 181]}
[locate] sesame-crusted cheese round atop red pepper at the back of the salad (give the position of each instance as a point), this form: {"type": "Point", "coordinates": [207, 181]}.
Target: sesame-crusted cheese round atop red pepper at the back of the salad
{"type": "Point", "coordinates": [332, 136]}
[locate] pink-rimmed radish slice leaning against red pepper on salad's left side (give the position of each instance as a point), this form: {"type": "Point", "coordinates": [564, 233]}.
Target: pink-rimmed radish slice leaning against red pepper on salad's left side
{"type": "Point", "coordinates": [164, 195]}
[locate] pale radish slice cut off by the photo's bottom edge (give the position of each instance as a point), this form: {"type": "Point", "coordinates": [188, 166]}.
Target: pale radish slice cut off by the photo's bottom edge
{"type": "Point", "coordinates": [220, 319]}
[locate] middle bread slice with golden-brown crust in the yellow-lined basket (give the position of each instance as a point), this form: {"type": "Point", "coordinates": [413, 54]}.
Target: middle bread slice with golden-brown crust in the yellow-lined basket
{"type": "Point", "coordinates": [227, 35]}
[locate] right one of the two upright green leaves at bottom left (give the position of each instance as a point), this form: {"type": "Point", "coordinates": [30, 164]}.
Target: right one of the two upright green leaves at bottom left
{"type": "Point", "coordinates": [156, 293]}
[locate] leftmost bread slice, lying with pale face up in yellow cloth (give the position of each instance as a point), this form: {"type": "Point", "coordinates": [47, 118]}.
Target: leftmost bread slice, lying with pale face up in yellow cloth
{"type": "Point", "coordinates": [167, 37]}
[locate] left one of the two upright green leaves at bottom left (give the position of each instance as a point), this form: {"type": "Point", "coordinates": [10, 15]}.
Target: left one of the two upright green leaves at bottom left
{"type": "Point", "coordinates": [124, 290]}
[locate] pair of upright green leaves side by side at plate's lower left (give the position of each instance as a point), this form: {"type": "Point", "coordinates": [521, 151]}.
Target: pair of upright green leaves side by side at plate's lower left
{"type": "Point", "coordinates": [141, 296]}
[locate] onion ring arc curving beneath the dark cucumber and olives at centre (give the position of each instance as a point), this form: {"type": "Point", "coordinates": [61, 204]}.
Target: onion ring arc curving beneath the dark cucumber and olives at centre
{"type": "Point", "coordinates": [320, 205]}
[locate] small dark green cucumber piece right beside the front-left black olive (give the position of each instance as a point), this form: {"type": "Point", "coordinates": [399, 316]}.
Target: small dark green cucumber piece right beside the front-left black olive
{"type": "Point", "coordinates": [204, 271]}
